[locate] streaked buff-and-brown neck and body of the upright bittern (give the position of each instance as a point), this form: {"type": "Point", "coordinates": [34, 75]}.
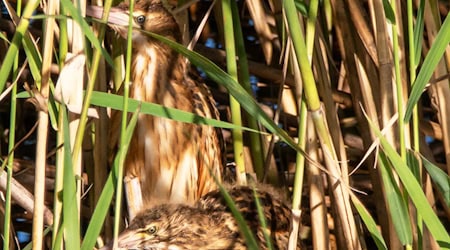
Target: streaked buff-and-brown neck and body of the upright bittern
{"type": "Point", "coordinates": [171, 159]}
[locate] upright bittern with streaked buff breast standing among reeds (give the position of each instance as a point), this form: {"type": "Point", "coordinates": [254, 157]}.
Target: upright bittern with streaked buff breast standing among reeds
{"type": "Point", "coordinates": [174, 161]}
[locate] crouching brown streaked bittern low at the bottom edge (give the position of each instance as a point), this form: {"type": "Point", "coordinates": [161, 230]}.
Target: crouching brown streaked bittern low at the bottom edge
{"type": "Point", "coordinates": [209, 223]}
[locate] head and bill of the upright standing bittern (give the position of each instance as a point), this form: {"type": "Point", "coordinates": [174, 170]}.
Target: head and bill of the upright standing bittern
{"type": "Point", "coordinates": [147, 16]}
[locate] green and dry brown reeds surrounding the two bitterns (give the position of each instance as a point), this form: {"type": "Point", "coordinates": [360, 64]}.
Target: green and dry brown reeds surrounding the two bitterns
{"type": "Point", "coordinates": [350, 99]}
